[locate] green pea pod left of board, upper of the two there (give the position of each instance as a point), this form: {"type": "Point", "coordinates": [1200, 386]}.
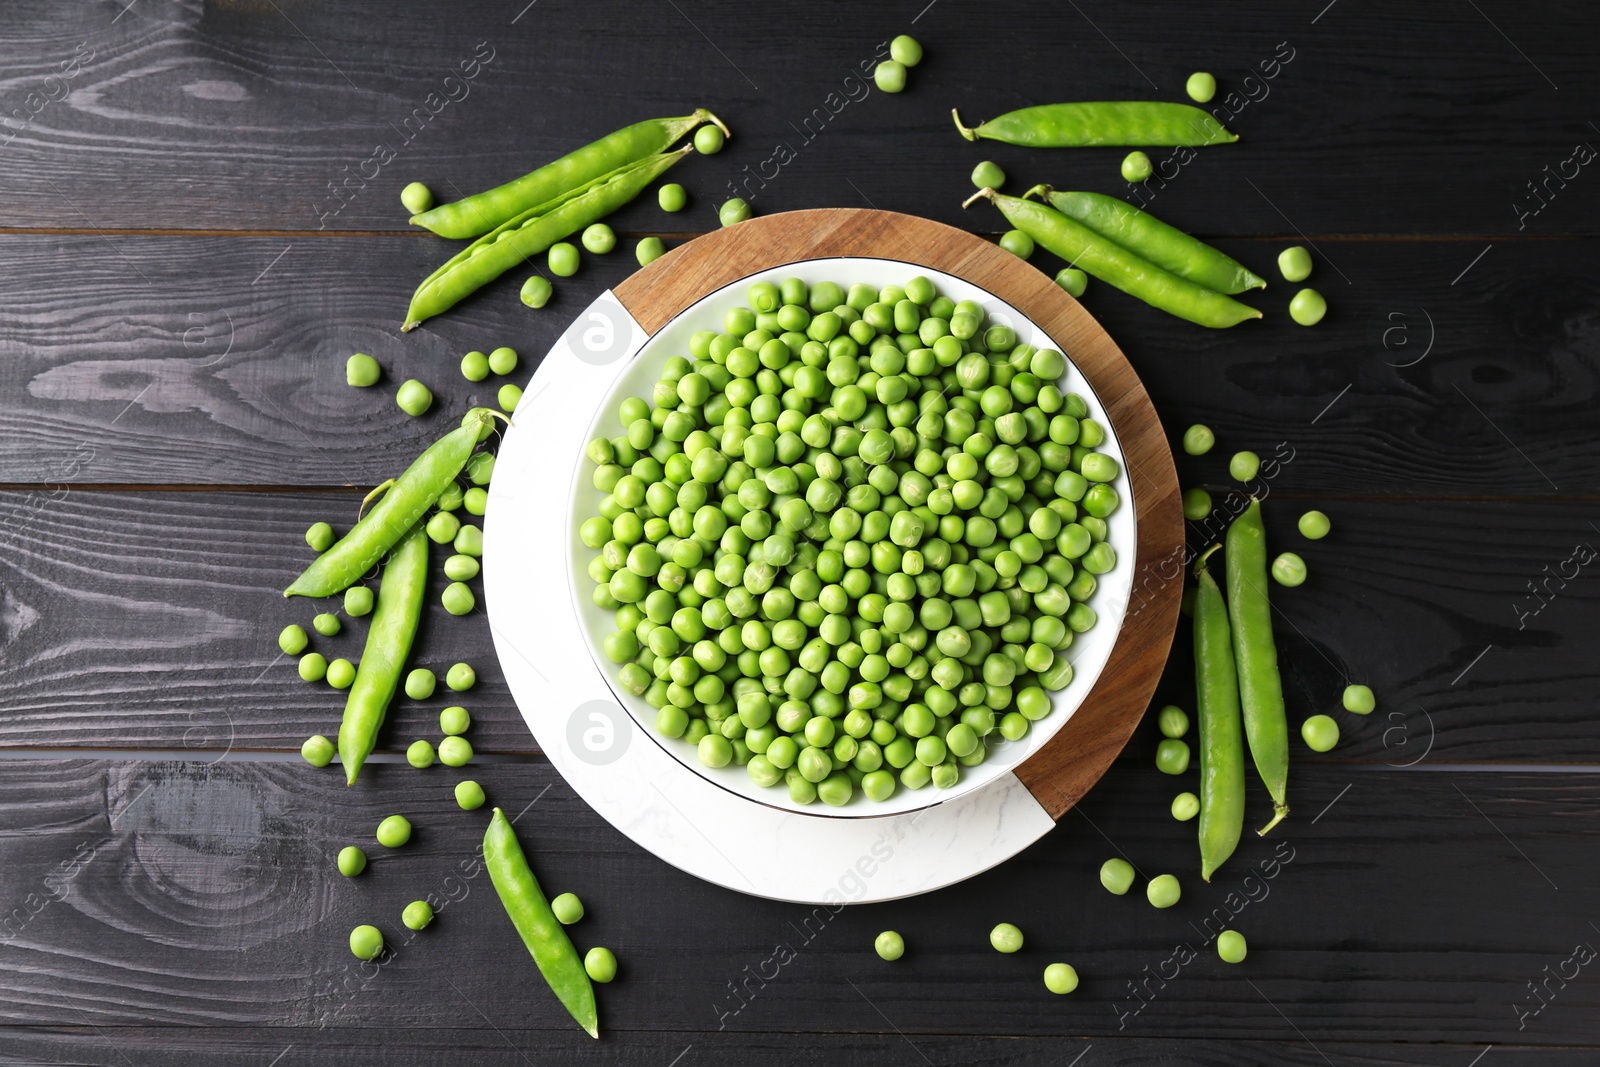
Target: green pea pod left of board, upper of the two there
{"type": "Point", "coordinates": [396, 514]}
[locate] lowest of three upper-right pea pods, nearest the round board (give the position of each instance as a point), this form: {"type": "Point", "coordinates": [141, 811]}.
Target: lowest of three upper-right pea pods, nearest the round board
{"type": "Point", "coordinates": [1118, 266]}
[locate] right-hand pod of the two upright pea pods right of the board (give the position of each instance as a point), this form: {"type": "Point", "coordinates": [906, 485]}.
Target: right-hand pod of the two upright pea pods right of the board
{"type": "Point", "coordinates": [1260, 687]}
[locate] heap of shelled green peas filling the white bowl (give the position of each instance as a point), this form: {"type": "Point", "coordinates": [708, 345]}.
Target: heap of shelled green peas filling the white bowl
{"type": "Point", "coordinates": [850, 538]}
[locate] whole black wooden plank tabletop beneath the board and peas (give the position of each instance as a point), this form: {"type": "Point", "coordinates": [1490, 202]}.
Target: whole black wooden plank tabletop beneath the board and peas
{"type": "Point", "coordinates": [201, 209]}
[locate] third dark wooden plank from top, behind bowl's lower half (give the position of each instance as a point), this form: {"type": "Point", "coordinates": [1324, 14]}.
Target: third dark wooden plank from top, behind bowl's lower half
{"type": "Point", "coordinates": [126, 615]}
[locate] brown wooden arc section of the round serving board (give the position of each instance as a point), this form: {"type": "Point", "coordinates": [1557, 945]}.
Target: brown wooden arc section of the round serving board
{"type": "Point", "coordinates": [1060, 773]}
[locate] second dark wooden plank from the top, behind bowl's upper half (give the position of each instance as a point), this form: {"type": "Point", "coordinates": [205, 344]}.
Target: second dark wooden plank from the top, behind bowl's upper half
{"type": "Point", "coordinates": [119, 366]}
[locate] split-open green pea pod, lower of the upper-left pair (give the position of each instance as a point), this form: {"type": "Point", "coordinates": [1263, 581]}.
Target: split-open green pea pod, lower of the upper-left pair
{"type": "Point", "coordinates": [532, 233]}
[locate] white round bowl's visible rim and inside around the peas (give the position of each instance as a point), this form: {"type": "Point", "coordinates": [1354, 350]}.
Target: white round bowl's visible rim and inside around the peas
{"type": "Point", "coordinates": [638, 378]}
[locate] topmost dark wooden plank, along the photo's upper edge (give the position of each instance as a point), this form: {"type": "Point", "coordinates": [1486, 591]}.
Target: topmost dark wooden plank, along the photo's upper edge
{"type": "Point", "coordinates": [268, 118]}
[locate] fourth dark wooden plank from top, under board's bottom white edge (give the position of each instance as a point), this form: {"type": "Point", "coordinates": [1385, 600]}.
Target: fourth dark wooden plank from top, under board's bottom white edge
{"type": "Point", "coordinates": [191, 895]}
